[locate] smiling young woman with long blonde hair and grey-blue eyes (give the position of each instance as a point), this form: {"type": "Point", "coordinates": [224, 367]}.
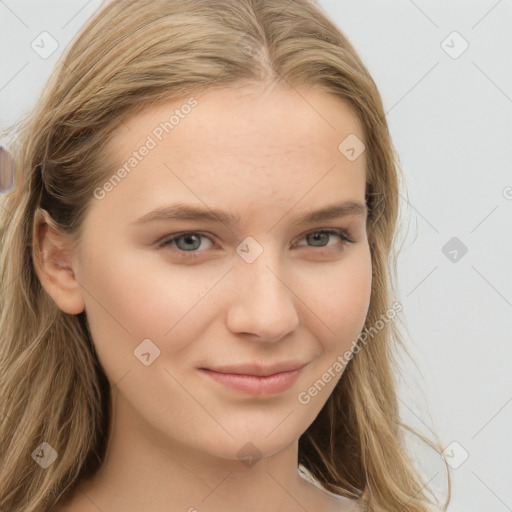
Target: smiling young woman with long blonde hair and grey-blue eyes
{"type": "Point", "coordinates": [196, 249]}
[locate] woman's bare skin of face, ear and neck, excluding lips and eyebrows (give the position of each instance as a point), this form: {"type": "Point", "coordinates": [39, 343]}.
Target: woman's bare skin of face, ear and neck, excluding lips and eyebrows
{"type": "Point", "coordinates": [269, 155]}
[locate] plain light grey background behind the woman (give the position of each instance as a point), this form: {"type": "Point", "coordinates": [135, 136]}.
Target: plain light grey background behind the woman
{"type": "Point", "coordinates": [451, 120]}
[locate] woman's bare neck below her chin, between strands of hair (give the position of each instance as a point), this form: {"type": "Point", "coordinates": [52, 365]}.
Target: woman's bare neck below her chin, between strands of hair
{"type": "Point", "coordinates": [144, 470]}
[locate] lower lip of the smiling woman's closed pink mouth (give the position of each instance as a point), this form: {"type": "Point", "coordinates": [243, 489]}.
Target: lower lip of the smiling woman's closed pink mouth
{"type": "Point", "coordinates": [256, 385]}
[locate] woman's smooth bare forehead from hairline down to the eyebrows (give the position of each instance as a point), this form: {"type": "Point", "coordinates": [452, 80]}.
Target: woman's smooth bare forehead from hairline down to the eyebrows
{"type": "Point", "coordinates": [253, 146]}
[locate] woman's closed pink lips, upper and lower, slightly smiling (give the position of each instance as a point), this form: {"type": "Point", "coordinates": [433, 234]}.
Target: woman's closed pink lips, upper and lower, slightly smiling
{"type": "Point", "coordinates": [256, 380]}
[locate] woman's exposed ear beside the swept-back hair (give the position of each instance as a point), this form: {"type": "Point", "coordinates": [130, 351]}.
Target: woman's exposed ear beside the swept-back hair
{"type": "Point", "coordinates": [54, 257]}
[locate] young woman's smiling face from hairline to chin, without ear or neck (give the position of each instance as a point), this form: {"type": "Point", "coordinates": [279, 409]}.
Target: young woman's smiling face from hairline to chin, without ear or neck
{"type": "Point", "coordinates": [247, 286]}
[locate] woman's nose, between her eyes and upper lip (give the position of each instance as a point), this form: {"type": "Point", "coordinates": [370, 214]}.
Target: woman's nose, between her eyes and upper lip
{"type": "Point", "coordinates": [263, 305]}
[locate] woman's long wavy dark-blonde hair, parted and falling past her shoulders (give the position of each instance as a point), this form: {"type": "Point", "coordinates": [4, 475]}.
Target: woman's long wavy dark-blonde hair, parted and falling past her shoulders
{"type": "Point", "coordinates": [131, 54]}
